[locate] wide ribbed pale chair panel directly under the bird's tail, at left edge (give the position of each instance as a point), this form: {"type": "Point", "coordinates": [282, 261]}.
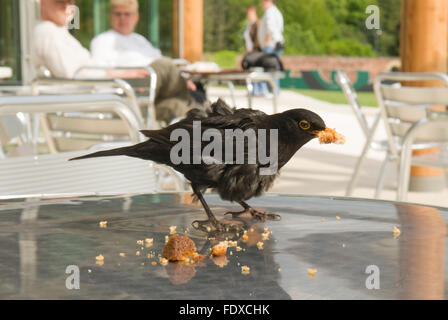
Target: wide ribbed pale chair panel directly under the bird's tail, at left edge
{"type": "Point", "coordinates": [53, 174]}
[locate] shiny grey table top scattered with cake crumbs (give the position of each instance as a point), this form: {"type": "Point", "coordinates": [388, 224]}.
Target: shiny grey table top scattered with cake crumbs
{"type": "Point", "coordinates": [340, 238]}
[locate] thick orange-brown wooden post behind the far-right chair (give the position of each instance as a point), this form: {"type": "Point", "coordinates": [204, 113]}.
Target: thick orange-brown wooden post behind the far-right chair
{"type": "Point", "coordinates": [424, 38]}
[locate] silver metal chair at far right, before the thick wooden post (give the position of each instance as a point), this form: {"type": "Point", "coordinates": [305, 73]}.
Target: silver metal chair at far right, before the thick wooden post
{"type": "Point", "coordinates": [410, 122]}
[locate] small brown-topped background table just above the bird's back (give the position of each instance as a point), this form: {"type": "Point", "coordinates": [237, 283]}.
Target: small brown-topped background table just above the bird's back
{"type": "Point", "coordinates": [231, 75]}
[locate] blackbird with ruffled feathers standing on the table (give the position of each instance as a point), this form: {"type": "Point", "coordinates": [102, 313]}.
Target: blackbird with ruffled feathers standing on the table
{"type": "Point", "coordinates": [236, 182]}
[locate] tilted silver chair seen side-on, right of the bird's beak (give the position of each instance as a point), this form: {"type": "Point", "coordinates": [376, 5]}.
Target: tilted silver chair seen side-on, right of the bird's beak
{"type": "Point", "coordinates": [369, 132]}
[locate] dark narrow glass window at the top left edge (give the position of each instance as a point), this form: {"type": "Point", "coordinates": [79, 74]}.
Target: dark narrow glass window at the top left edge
{"type": "Point", "coordinates": [10, 38]}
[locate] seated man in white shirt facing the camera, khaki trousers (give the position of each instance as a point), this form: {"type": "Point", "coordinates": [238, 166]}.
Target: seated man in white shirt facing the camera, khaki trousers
{"type": "Point", "coordinates": [122, 47]}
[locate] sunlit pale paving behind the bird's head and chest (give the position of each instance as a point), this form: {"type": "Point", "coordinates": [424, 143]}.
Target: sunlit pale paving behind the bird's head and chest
{"type": "Point", "coordinates": [326, 170]}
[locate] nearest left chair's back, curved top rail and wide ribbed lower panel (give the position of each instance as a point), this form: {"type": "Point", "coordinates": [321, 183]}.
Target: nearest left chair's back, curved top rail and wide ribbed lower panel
{"type": "Point", "coordinates": [53, 174]}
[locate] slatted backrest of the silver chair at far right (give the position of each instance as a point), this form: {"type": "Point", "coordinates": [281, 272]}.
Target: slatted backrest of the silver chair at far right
{"type": "Point", "coordinates": [403, 105]}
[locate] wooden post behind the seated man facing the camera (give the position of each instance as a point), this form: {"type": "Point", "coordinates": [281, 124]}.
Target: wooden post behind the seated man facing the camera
{"type": "Point", "coordinates": [190, 15]}
